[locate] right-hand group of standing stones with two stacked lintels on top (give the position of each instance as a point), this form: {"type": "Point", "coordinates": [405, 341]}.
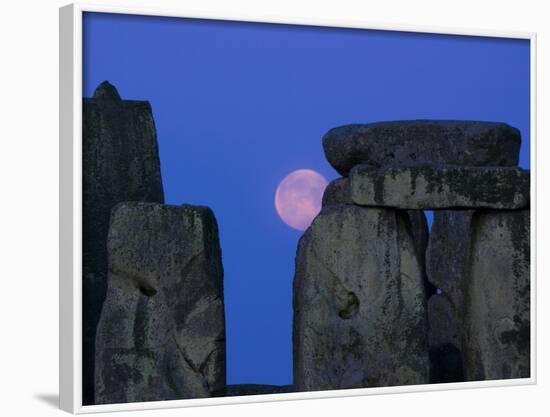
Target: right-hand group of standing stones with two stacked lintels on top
{"type": "Point", "coordinates": [362, 317]}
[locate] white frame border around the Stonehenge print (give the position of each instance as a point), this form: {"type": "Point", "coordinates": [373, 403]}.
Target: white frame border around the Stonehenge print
{"type": "Point", "coordinates": [70, 203]}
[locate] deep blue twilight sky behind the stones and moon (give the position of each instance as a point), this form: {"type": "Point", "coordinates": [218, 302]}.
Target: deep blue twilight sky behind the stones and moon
{"type": "Point", "coordinates": [238, 106]}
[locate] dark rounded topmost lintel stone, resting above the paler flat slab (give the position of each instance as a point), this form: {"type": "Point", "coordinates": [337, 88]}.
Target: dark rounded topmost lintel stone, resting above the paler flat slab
{"type": "Point", "coordinates": [421, 141]}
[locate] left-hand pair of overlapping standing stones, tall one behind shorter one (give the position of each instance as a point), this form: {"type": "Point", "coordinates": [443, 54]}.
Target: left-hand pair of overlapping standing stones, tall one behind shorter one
{"type": "Point", "coordinates": [153, 316]}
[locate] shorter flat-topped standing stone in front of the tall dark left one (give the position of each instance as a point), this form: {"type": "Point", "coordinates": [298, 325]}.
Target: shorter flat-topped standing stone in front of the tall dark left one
{"type": "Point", "coordinates": [162, 330]}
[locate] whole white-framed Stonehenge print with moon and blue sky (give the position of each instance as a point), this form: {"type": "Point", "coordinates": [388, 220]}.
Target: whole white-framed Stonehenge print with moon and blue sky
{"type": "Point", "coordinates": [261, 209]}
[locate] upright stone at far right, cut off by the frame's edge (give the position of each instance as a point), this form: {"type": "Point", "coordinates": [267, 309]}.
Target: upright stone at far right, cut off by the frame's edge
{"type": "Point", "coordinates": [496, 339]}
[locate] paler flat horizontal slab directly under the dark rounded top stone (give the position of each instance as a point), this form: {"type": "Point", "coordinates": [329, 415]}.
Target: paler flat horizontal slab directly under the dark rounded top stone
{"type": "Point", "coordinates": [432, 187]}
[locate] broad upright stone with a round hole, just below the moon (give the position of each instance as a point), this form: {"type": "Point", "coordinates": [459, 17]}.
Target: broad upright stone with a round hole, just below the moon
{"type": "Point", "coordinates": [359, 302]}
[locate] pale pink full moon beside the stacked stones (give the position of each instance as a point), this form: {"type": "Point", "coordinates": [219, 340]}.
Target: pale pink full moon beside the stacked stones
{"type": "Point", "coordinates": [298, 198]}
